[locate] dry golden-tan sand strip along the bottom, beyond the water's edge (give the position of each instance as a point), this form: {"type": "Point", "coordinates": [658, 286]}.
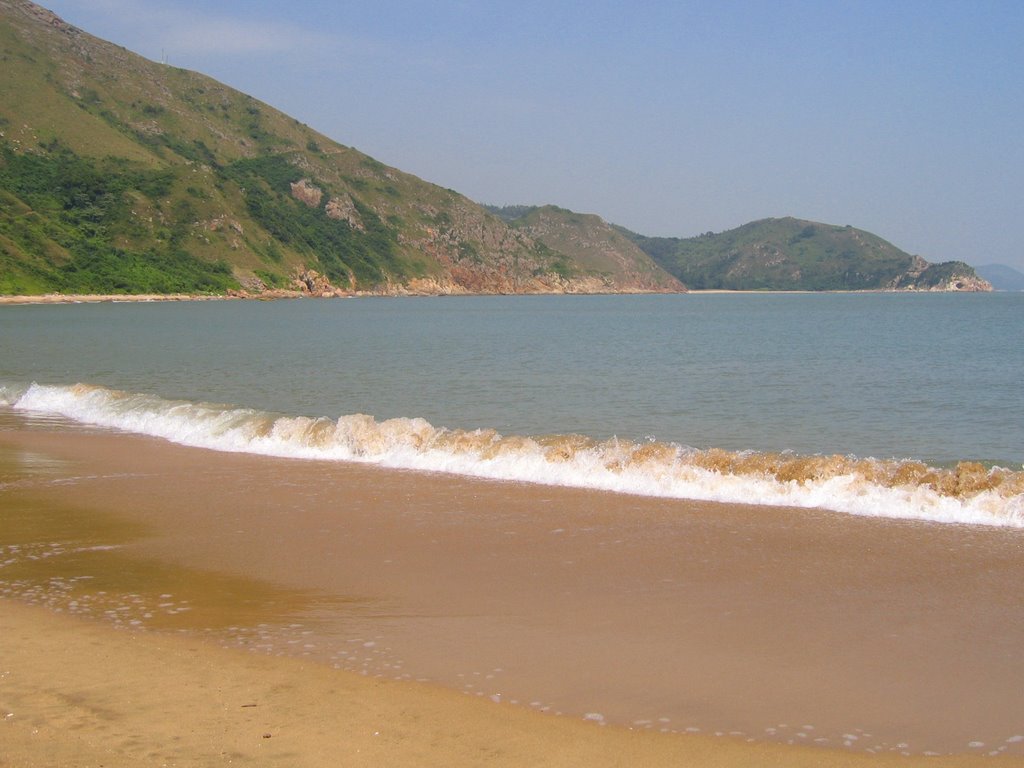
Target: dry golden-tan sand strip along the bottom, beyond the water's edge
{"type": "Point", "coordinates": [79, 694]}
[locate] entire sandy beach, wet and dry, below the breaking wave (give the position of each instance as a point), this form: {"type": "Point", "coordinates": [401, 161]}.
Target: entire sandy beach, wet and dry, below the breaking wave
{"type": "Point", "coordinates": [840, 635]}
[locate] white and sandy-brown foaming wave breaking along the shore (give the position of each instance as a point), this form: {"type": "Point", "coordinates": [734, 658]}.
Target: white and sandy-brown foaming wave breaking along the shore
{"type": "Point", "coordinates": [968, 493]}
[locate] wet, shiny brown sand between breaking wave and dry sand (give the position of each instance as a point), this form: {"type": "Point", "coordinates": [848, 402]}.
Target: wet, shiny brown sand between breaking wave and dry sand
{"type": "Point", "coordinates": [843, 634]}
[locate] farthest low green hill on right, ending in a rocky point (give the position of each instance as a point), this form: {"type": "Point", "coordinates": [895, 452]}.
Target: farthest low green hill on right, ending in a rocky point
{"type": "Point", "coordinates": [790, 254]}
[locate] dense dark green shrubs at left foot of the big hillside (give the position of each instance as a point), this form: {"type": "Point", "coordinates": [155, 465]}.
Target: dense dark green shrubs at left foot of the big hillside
{"type": "Point", "coordinates": [63, 217]}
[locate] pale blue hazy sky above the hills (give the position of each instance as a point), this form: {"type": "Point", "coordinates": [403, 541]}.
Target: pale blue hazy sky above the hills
{"type": "Point", "coordinates": [903, 118]}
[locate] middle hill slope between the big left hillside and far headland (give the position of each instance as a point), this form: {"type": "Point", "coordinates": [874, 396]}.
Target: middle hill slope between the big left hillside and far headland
{"type": "Point", "coordinates": [591, 243]}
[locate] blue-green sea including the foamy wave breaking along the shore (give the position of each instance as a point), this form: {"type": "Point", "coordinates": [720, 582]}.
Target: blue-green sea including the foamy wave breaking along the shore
{"type": "Point", "coordinates": [891, 405]}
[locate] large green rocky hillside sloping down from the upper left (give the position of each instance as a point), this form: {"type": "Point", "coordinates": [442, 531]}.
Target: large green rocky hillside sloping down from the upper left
{"type": "Point", "coordinates": [123, 176]}
